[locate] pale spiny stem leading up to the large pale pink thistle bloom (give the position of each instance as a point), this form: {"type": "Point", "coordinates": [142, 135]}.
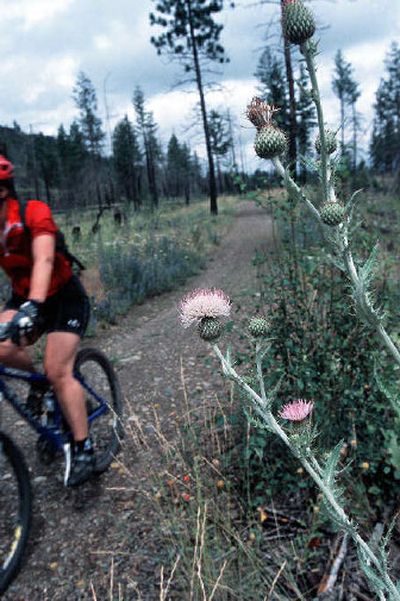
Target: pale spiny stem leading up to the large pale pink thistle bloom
{"type": "Point", "coordinates": [267, 416]}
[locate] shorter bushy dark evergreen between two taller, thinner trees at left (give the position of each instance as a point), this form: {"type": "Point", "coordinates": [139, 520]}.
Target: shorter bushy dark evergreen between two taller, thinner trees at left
{"type": "Point", "coordinates": [127, 159]}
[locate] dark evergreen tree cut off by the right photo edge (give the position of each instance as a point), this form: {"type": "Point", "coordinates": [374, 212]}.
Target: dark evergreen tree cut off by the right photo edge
{"type": "Point", "coordinates": [385, 143]}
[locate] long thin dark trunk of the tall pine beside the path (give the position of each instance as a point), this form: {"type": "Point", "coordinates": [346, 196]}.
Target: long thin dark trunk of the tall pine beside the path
{"type": "Point", "coordinates": [211, 170]}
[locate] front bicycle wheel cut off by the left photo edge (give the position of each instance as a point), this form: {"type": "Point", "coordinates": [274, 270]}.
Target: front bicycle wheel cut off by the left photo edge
{"type": "Point", "coordinates": [14, 530]}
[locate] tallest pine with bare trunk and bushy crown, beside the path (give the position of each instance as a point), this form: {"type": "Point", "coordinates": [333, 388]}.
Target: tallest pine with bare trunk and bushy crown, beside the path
{"type": "Point", "coordinates": [192, 37]}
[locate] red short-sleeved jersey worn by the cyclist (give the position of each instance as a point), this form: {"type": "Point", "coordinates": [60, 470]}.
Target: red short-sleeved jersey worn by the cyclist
{"type": "Point", "coordinates": [16, 246]}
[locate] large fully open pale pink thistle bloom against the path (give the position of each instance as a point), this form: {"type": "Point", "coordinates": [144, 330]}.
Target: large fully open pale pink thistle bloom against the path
{"type": "Point", "coordinates": [203, 302]}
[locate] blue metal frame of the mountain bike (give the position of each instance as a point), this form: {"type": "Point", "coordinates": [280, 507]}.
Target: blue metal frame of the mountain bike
{"type": "Point", "coordinates": [54, 432]}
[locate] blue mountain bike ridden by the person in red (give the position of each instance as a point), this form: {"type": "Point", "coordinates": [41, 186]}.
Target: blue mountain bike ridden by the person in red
{"type": "Point", "coordinates": [104, 407]}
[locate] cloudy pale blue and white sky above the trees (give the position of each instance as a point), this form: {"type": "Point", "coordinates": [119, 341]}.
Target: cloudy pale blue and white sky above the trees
{"type": "Point", "coordinates": [45, 43]}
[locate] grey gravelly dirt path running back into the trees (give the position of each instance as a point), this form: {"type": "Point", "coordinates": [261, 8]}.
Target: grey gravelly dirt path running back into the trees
{"type": "Point", "coordinates": [79, 538]}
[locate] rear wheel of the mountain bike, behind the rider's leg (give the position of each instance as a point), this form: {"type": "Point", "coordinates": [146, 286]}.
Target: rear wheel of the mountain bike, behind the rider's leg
{"type": "Point", "coordinates": [107, 430]}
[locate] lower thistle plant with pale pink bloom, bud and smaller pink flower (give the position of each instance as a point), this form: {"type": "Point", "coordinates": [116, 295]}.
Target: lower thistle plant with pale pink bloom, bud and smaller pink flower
{"type": "Point", "coordinates": [299, 439]}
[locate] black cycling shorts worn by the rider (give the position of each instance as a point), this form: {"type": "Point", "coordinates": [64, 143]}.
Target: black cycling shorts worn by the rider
{"type": "Point", "coordinates": [66, 311]}
